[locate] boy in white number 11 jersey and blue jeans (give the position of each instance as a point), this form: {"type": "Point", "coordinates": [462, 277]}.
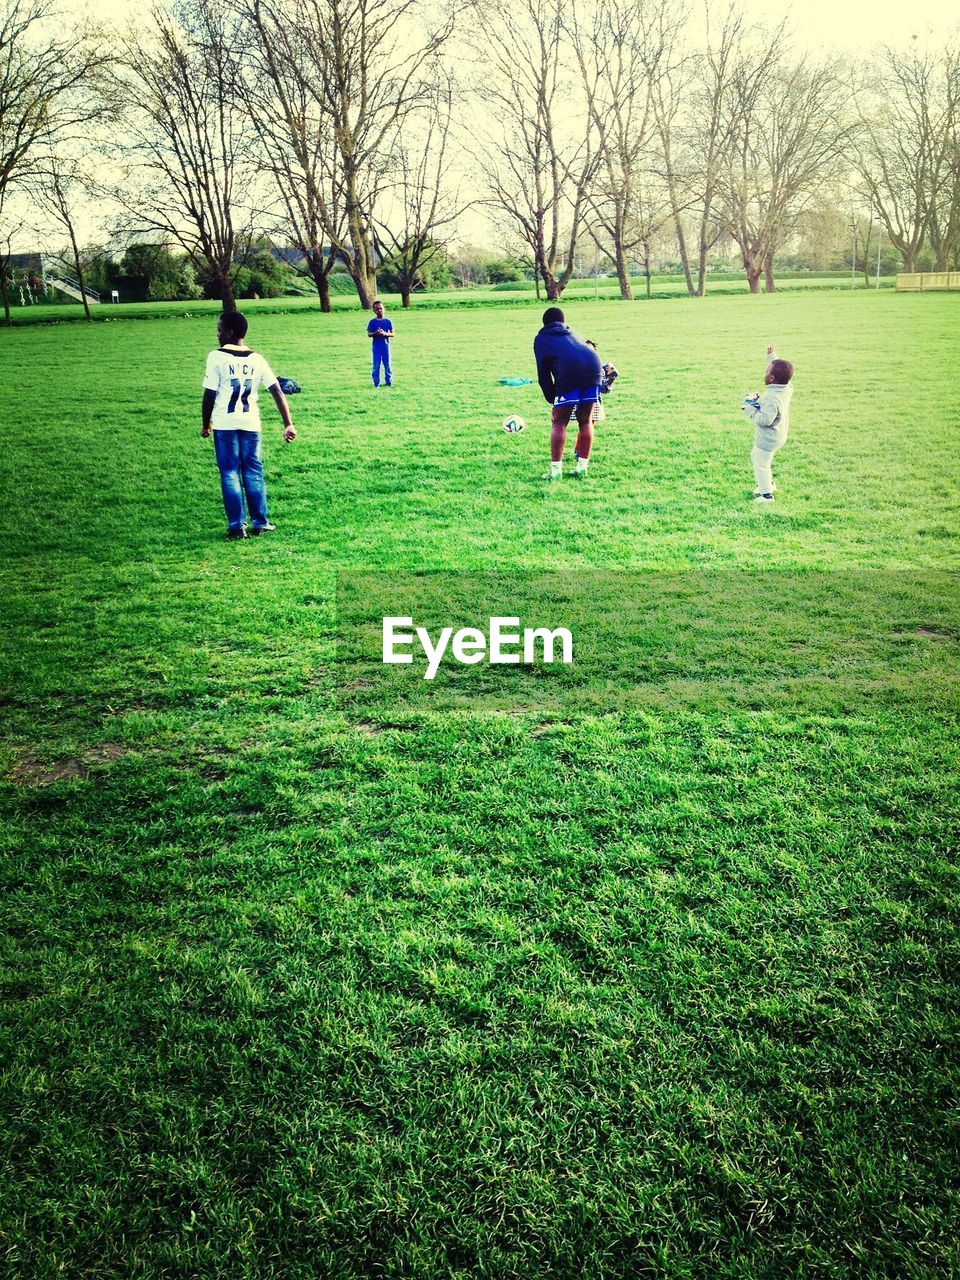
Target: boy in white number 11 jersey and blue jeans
{"type": "Point", "coordinates": [232, 382]}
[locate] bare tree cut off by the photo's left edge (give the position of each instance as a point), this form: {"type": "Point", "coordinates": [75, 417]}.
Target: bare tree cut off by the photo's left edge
{"type": "Point", "coordinates": [49, 86]}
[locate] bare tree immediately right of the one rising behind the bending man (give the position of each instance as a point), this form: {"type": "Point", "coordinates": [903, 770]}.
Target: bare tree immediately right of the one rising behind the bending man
{"type": "Point", "coordinates": [623, 52]}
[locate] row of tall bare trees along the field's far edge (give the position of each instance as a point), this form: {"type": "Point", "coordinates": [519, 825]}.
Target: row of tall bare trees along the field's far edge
{"type": "Point", "coordinates": [362, 134]}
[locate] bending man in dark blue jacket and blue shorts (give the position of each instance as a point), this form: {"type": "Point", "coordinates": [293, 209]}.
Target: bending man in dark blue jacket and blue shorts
{"type": "Point", "coordinates": [569, 373]}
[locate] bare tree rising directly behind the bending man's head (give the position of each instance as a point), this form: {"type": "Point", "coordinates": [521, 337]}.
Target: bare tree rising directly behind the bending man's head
{"type": "Point", "coordinates": [542, 158]}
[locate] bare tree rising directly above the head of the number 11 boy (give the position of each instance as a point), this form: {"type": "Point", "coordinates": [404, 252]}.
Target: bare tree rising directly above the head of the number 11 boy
{"type": "Point", "coordinates": [190, 145]}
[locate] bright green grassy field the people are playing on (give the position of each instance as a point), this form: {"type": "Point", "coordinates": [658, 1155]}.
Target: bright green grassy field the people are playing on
{"type": "Point", "coordinates": [648, 970]}
